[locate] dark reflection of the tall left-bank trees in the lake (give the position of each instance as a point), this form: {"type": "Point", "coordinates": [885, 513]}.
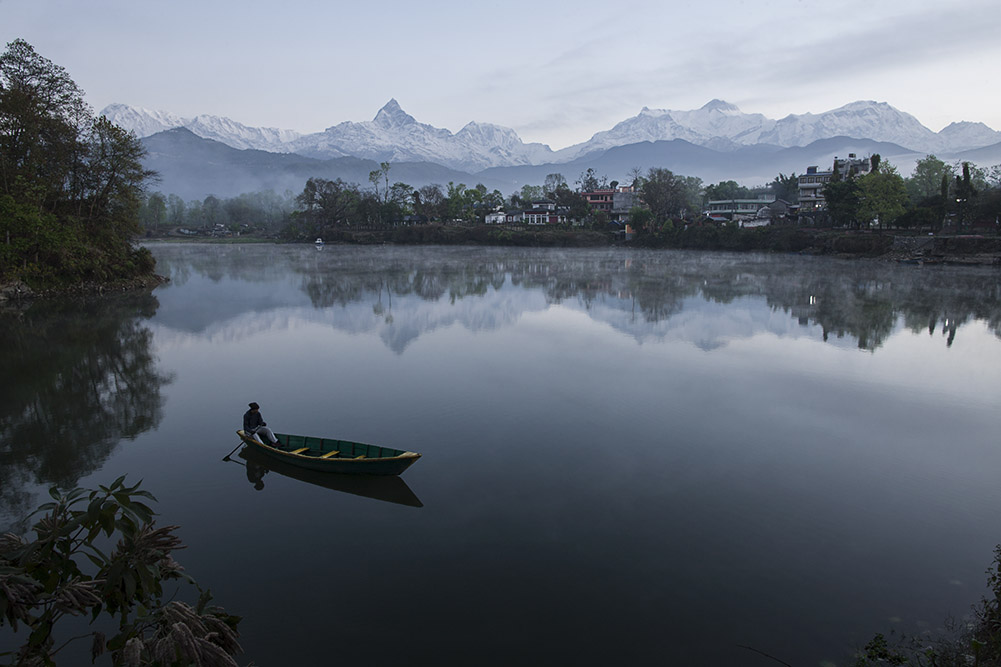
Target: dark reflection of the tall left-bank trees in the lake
{"type": "Point", "coordinates": [79, 378]}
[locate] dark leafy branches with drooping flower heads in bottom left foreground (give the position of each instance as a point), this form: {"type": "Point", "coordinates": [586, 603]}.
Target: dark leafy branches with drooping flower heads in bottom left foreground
{"type": "Point", "coordinates": [64, 572]}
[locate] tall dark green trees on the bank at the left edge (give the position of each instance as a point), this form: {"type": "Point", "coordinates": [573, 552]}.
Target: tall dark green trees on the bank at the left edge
{"type": "Point", "coordinates": [71, 183]}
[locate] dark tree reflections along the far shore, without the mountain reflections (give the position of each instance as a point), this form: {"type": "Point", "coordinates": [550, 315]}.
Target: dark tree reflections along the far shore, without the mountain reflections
{"type": "Point", "coordinates": [856, 299]}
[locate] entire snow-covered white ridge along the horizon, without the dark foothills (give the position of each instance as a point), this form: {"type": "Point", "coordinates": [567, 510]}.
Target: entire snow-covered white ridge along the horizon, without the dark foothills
{"type": "Point", "coordinates": [396, 137]}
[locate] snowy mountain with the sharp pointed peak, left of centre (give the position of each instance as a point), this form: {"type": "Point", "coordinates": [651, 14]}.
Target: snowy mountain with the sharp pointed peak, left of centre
{"type": "Point", "coordinates": [397, 137]}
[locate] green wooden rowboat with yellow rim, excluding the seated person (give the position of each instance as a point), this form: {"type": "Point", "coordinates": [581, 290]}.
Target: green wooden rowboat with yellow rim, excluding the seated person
{"type": "Point", "coordinates": [328, 455]}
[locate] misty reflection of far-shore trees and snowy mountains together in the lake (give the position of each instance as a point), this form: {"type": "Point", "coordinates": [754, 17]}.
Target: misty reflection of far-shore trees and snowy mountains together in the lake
{"type": "Point", "coordinates": [407, 292]}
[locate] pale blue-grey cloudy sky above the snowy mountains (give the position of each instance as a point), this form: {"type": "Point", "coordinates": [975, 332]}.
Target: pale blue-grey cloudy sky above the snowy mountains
{"type": "Point", "coordinates": [557, 73]}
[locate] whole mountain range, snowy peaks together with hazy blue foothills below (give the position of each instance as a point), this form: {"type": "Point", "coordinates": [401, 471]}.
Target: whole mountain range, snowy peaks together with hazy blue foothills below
{"type": "Point", "coordinates": [716, 143]}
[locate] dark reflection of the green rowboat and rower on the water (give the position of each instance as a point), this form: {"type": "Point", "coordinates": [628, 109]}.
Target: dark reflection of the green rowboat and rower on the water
{"type": "Point", "coordinates": [391, 489]}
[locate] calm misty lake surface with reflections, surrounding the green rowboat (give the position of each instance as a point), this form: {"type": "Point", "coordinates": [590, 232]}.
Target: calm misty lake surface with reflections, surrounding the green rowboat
{"type": "Point", "coordinates": [629, 458]}
